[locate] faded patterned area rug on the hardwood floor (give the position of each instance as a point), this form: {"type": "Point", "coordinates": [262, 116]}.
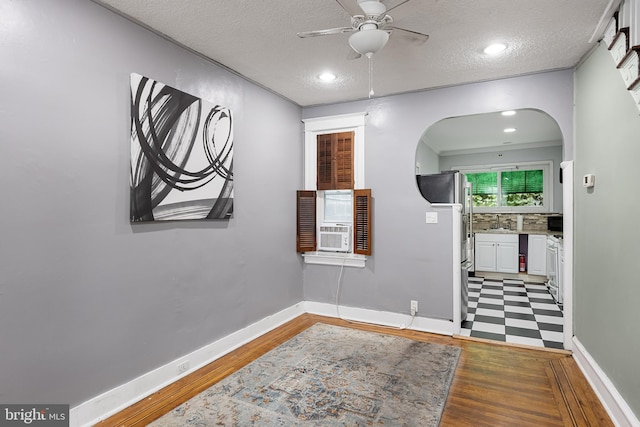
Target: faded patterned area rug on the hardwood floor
{"type": "Point", "coordinates": [330, 376]}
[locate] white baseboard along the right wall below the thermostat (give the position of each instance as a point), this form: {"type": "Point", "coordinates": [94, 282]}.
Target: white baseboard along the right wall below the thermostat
{"type": "Point", "coordinates": [615, 405]}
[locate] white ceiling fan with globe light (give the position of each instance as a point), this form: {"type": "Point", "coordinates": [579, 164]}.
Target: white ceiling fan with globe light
{"type": "Point", "coordinates": [370, 27]}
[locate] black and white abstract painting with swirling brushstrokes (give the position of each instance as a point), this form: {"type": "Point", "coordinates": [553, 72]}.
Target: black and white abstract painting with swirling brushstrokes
{"type": "Point", "coordinates": [181, 155]}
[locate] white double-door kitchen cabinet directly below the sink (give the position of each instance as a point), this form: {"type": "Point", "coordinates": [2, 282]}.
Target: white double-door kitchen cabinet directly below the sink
{"type": "Point", "coordinates": [496, 252]}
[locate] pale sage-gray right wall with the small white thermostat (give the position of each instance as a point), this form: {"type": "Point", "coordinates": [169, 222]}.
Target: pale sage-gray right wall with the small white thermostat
{"type": "Point", "coordinates": [606, 291]}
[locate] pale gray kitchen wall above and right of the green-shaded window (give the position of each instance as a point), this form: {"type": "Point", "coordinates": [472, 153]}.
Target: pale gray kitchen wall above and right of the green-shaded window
{"type": "Point", "coordinates": [553, 154]}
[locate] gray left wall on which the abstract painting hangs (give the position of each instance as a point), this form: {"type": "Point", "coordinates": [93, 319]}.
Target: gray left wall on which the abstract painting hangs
{"type": "Point", "coordinates": [87, 300]}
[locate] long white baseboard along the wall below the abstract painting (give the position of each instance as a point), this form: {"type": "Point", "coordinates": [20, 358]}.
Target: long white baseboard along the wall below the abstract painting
{"type": "Point", "coordinates": [123, 396]}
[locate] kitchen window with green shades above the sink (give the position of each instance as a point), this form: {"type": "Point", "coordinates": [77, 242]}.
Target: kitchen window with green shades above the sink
{"type": "Point", "coordinates": [522, 187]}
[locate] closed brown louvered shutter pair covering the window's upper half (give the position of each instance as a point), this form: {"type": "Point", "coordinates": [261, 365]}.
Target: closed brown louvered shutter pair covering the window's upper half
{"type": "Point", "coordinates": [335, 161]}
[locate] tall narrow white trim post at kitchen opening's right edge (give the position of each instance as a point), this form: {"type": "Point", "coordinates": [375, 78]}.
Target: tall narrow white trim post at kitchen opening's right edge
{"type": "Point", "coordinates": [567, 245]}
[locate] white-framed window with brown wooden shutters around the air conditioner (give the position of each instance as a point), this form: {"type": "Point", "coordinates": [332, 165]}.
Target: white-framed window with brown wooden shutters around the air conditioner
{"type": "Point", "coordinates": [334, 188]}
